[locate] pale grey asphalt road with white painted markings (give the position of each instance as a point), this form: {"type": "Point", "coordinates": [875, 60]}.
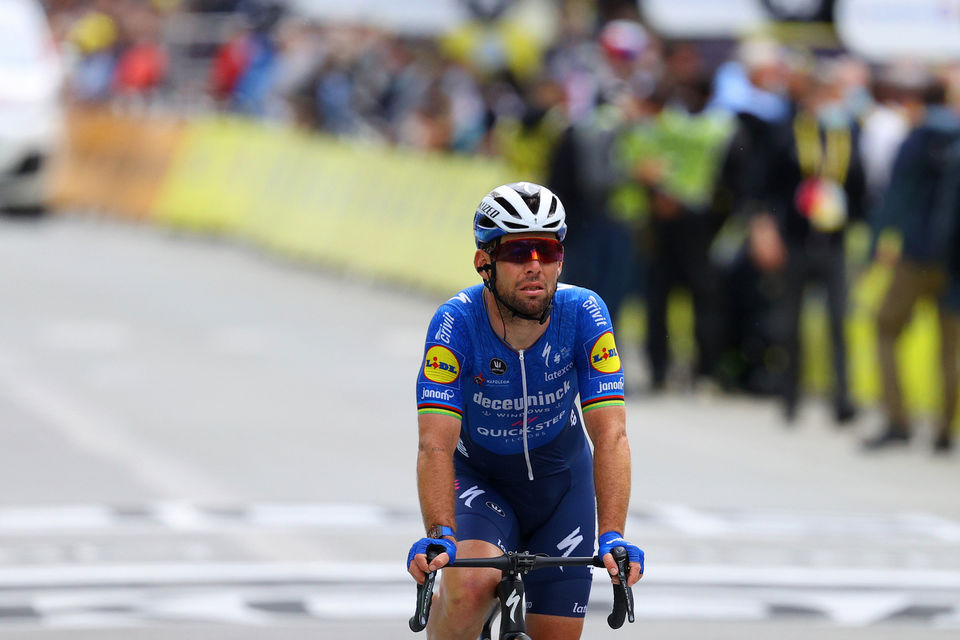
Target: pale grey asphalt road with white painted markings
{"type": "Point", "coordinates": [198, 440]}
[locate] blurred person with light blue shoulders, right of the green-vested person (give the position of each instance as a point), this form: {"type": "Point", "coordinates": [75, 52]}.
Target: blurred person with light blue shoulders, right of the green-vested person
{"type": "Point", "coordinates": [753, 87]}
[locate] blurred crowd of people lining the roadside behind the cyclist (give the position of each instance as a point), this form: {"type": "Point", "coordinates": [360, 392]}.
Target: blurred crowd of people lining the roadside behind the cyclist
{"type": "Point", "coordinates": [737, 171]}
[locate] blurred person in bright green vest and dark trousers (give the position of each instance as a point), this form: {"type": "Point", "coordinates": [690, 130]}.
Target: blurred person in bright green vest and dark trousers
{"type": "Point", "coordinates": [675, 157]}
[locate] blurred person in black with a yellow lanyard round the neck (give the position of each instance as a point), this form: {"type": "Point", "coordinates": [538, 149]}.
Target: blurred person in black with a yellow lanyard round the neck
{"type": "Point", "coordinates": [817, 188]}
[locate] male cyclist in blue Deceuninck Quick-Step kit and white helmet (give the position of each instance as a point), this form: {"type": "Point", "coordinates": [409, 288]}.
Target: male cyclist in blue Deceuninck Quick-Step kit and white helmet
{"type": "Point", "coordinates": [503, 461]}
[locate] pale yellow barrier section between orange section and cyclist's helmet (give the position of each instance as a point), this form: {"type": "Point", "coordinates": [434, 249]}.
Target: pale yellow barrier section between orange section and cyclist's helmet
{"type": "Point", "coordinates": [380, 211]}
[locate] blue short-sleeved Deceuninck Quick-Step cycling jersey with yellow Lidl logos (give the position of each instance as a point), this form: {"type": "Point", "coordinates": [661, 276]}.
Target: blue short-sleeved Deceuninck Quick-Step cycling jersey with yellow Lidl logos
{"type": "Point", "coordinates": [518, 409]}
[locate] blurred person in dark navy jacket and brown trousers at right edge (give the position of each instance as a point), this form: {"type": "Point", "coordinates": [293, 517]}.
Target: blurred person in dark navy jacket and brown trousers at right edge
{"type": "Point", "coordinates": [922, 168]}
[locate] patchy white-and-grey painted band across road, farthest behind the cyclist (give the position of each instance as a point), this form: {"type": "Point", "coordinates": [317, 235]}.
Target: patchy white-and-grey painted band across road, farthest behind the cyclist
{"type": "Point", "coordinates": [182, 516]}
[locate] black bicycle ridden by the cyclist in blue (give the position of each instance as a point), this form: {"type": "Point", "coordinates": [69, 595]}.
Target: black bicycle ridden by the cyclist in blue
{"type": "Point", "coordinates": [510, 589]}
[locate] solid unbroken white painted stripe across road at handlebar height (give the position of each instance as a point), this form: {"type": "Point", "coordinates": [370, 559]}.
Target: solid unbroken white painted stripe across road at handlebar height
{"type": "Point", "coordinates": [729, 576]}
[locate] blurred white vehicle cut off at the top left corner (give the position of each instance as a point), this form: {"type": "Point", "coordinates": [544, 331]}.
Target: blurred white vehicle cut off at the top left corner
{"type": "Point", "coordinates": [31, 117]}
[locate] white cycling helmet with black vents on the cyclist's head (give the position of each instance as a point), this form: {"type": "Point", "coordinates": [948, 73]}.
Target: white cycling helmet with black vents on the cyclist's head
{"type": "Point", "coordinates": [518, 207]}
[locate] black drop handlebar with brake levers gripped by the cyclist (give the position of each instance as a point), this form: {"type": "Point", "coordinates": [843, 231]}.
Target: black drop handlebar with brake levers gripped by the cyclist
{"type": "Point", "coordinates": [524, 563]}
